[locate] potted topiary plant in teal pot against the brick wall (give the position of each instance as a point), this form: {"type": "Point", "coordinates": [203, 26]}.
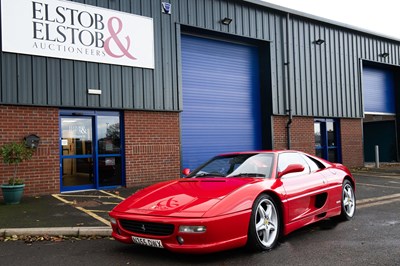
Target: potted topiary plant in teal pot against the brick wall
{"type": "Point", "coordinates": [14, 153]}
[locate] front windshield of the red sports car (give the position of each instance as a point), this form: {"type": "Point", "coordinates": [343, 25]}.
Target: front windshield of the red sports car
{"type": "Point", "coordinates": [238, 165]}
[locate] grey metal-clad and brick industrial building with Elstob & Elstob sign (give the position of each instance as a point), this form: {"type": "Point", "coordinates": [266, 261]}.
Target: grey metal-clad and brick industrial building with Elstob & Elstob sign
{"type": "Point", "coordinates": [130, 92]}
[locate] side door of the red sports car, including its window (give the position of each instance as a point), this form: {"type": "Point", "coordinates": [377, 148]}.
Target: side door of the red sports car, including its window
{"type": "Point", "coordinates": [305, 191]}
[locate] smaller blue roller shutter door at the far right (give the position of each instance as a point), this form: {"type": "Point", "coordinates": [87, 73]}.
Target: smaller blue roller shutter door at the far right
{"type": "Point", "coordinates": [378, 87]}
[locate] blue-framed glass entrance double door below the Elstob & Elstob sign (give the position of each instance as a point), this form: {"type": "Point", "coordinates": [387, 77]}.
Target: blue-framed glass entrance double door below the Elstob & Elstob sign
{"type": "Point", "coordinates": [91, 154]}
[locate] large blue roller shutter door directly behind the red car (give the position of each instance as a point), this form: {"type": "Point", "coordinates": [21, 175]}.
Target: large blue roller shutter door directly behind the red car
{"type": "Point", "coordinates": [221, 99]}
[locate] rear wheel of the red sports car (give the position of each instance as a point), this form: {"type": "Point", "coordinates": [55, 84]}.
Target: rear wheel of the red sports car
{"type": "Point", "coordinates": [348, 202]}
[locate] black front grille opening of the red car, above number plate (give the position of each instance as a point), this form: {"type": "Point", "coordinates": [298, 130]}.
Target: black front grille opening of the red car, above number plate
{"type": "Point", "coordinates": [148, 228]}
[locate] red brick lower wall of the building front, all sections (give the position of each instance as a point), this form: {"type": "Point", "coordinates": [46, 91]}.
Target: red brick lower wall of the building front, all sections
{"type": "Point", "coordinates": [152, 144]}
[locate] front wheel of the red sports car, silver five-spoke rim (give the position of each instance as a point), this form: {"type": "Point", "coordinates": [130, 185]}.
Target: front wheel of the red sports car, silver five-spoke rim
{"type": "Point", "coordinates": [264, 228]}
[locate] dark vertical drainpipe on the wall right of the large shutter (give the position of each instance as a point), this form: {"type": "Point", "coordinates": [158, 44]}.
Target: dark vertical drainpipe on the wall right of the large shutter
{"type": "Point", "coordinates": [288, 93]}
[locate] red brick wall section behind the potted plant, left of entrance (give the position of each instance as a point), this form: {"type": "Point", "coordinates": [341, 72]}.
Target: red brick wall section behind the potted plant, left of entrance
{"type": "Point", "coordinates": [41, 174]}
